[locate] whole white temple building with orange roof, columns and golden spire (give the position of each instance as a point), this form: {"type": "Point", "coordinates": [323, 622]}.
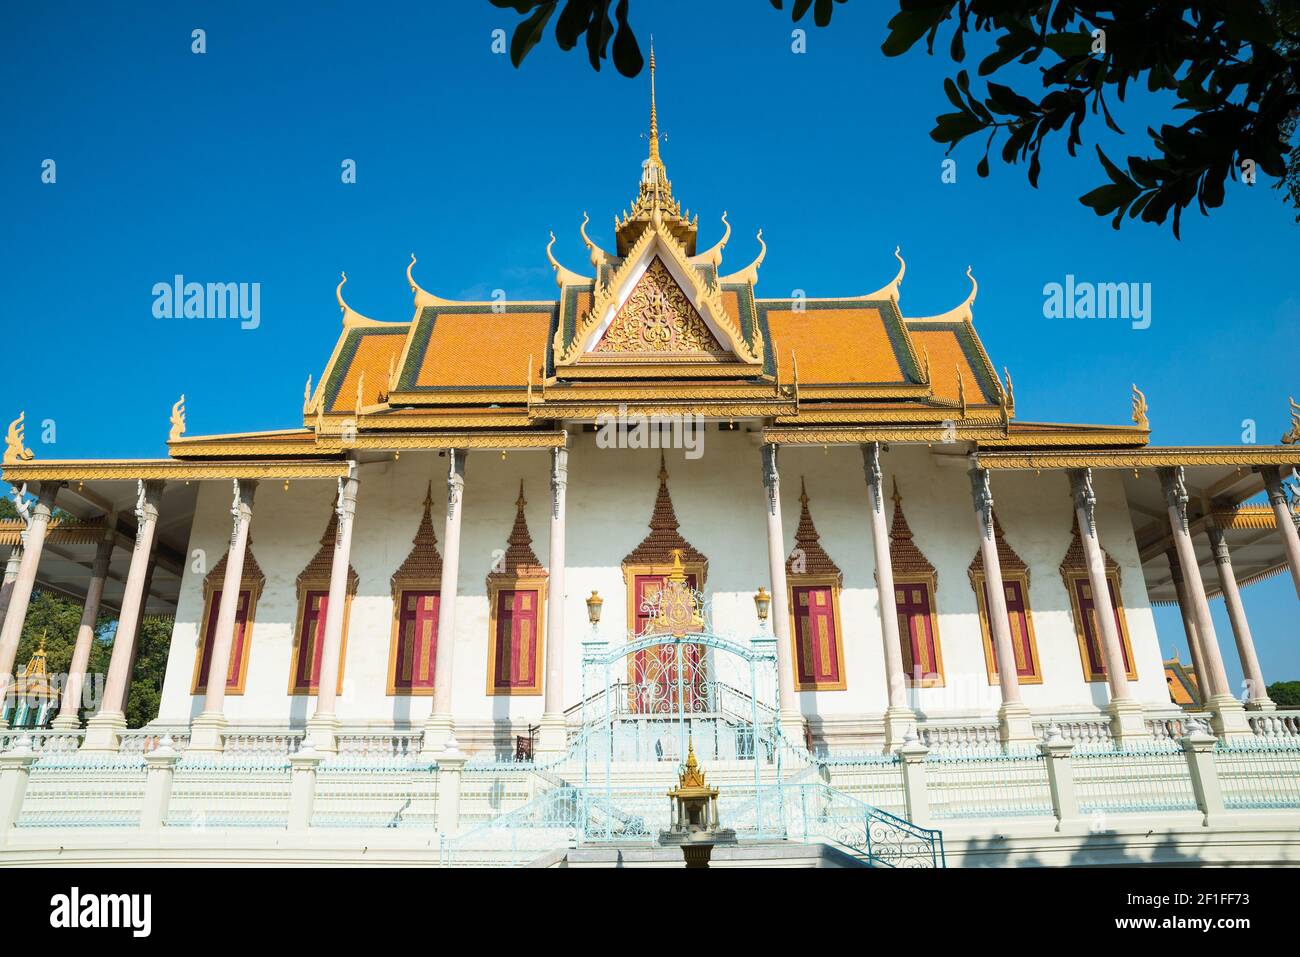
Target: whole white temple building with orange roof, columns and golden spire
{"type": "Point", "coordinates": [479, 491]}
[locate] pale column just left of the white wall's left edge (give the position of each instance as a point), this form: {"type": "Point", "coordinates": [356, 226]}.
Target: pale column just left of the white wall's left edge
{"type": "Point", "coordinates": [103, 731]}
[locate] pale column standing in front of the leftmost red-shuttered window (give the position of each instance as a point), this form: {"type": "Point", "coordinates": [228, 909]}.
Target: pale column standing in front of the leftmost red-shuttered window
{"type": "Point", "coordinates": [207, 730]}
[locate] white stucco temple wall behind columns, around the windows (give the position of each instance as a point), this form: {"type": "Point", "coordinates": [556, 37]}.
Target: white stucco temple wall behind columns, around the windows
{"type": "Point", "coordinates": [720, 503]}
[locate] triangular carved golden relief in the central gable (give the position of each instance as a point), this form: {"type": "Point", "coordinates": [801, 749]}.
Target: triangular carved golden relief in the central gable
{"type": "Point", "coordinates": [658, 318]}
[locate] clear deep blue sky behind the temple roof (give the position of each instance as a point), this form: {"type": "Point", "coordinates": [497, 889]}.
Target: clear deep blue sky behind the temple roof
{"type": "Point", "coordinates": [227, 167]}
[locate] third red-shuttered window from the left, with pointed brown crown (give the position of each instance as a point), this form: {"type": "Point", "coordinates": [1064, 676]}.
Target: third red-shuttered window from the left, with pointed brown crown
{"type": "Point", "coordinates": [413, 648]}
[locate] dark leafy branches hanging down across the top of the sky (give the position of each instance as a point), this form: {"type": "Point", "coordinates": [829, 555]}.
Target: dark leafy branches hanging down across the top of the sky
{"type": "Point", "coordinates": [1233, 68]}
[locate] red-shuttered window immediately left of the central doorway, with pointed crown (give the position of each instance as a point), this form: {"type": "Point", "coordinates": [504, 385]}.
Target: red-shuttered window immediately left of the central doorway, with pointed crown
{"type": "Point", "coordinates": [517, 610]}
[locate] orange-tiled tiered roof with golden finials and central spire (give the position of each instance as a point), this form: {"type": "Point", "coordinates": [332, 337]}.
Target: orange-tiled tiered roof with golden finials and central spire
{"type": "Point", "coordinates": [657, 327]}
